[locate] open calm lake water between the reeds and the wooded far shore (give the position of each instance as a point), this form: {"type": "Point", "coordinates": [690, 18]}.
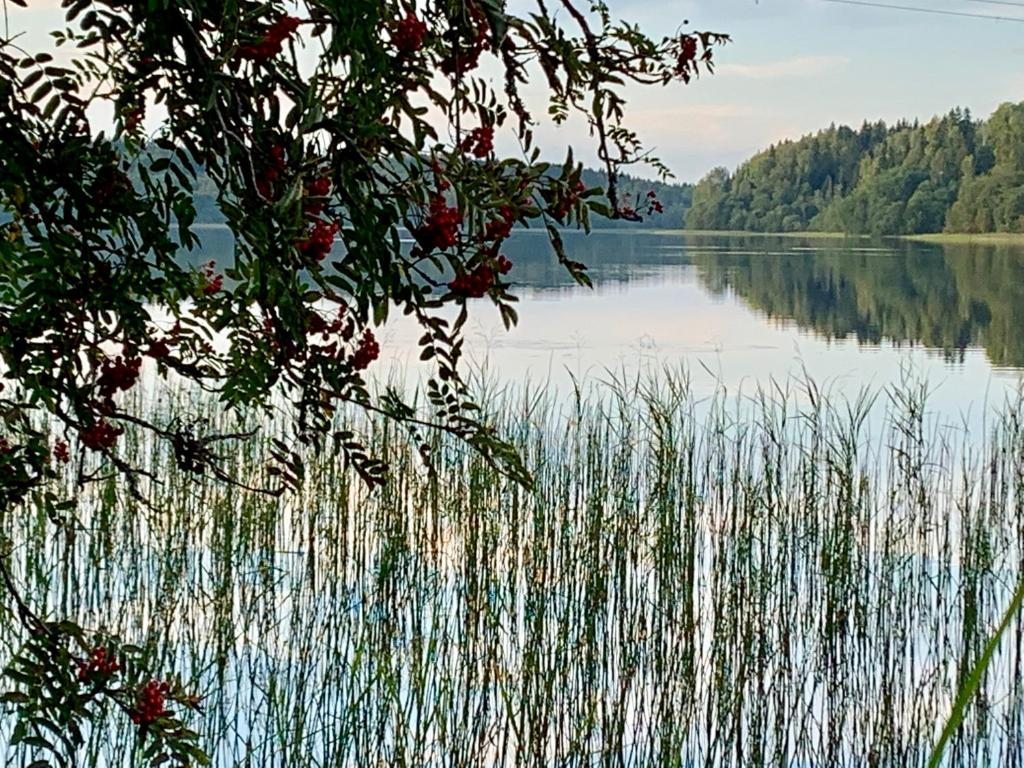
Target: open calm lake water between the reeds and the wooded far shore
{"type": "Point", "coordinates": [670, 300]}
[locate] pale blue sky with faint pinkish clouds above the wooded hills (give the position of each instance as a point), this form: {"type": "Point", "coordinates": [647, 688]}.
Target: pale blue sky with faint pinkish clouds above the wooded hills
{"type": "Point", "coordinates": [794, 67]}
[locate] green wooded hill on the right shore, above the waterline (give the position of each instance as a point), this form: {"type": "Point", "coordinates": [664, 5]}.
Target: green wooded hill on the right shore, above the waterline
{"type": "Point", "coordinates": [954, 175]}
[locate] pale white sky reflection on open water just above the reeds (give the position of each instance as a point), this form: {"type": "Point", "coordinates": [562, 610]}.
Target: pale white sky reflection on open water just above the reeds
{"type": "Point", "coordinates": [669, 318]}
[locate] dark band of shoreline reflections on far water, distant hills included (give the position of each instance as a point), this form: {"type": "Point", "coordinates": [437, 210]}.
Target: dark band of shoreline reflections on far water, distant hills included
{"type": "Point", "coordinates": [948, 298]}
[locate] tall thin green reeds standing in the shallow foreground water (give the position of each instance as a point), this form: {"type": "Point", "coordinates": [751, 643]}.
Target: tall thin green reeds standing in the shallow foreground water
{"type": "Point", "coordinates": [781, 581]}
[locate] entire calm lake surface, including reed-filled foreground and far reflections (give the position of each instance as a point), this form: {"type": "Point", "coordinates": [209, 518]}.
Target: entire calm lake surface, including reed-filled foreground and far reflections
{"type": "Point", "coordinates": [733, 556]}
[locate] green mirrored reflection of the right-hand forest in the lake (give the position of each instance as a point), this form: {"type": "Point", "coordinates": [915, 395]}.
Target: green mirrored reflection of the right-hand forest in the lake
{"type": "Point", "coordinates": [948, 298]}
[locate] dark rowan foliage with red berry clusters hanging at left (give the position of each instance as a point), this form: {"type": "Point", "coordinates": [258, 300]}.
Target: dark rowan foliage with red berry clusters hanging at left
{"type": "Point", "coordinates": [320, 136]}
